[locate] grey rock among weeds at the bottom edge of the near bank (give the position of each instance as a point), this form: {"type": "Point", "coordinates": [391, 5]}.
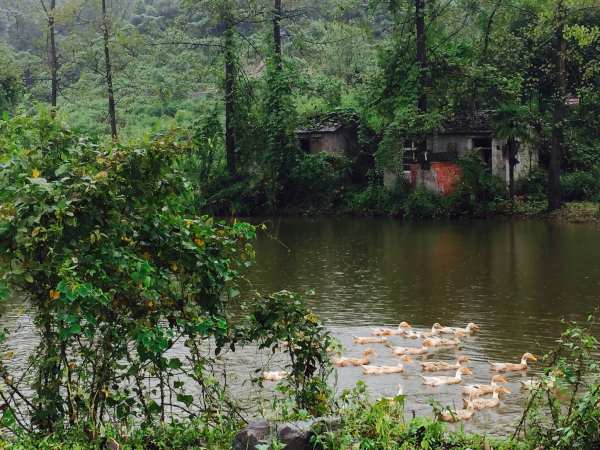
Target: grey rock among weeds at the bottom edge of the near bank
{"type": "Point", "coordinates": [295, 435]}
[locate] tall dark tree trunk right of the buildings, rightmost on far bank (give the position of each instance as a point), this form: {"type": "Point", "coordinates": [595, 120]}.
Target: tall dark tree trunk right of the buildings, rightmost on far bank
{"type": "Point", "coordinates": [559, 111]}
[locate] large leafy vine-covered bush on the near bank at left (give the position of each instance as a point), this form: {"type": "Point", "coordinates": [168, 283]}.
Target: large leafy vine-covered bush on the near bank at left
{"type": "Point", "coordinates": [107, 246]}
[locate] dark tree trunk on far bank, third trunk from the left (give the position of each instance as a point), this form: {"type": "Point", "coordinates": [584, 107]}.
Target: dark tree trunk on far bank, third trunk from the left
{"type": "Point", "coordinates": [230, 98]}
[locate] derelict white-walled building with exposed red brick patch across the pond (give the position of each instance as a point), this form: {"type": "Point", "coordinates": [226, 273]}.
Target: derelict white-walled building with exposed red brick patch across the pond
{"type": "Point", "coordinates": [438, 169]}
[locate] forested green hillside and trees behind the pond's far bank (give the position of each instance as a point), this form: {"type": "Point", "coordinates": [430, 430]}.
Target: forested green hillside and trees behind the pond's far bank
{"type": "Point", "coordinates": [240, 76]}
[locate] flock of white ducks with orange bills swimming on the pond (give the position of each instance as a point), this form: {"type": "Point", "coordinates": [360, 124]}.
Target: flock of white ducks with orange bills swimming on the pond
{"type": "Point", "coordinates": [439, 337]}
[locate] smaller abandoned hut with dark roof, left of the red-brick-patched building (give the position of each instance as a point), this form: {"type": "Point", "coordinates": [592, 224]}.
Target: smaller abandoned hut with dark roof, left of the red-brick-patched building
{"type": "Point", "coordinates": [335, 133]}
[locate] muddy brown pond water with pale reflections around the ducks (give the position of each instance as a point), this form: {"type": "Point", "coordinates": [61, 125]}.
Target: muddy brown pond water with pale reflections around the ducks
{"type": "Point", "coordinates": [517, 280]}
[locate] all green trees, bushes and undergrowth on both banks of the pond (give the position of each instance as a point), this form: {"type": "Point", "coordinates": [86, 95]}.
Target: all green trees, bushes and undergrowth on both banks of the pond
{"type": "Point", "coordinates": [125, 123]}
